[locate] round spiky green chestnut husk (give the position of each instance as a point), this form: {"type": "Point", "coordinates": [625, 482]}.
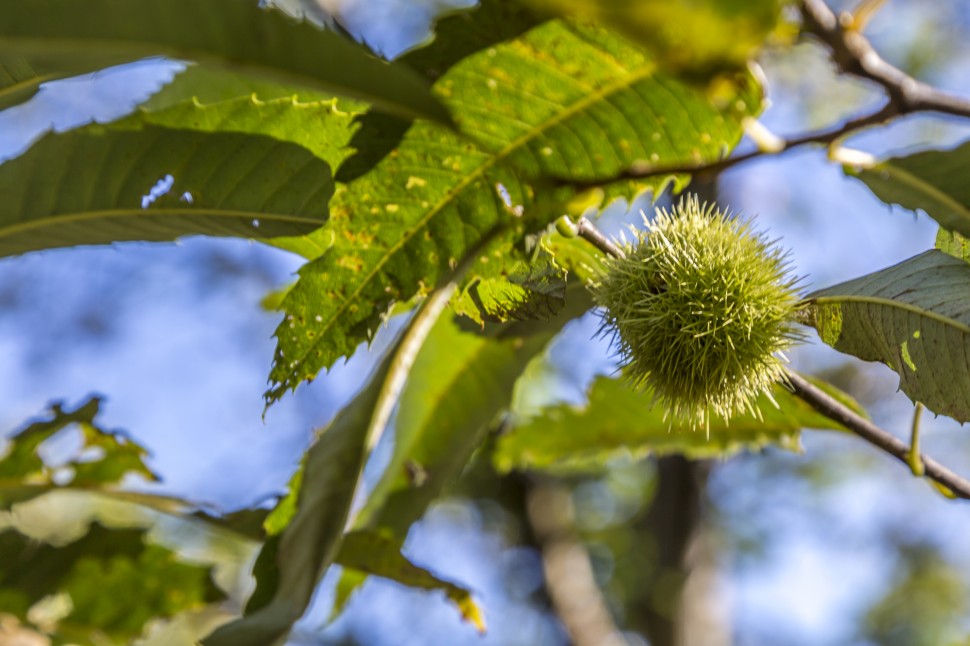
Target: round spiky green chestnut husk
{"type": "Point", "coordinates": [700, 310]}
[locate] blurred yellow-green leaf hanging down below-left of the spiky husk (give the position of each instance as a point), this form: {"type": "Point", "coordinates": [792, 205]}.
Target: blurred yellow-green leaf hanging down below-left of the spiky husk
{"type": "Point", "coordinates": [460, 383]}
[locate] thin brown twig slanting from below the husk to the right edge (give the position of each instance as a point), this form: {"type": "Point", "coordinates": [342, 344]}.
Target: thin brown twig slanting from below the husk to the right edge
{"type": "Point", "coordinates": [835, 410]}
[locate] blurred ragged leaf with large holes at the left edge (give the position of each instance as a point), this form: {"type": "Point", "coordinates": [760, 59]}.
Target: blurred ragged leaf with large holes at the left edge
{"type": "Point", "coordinates": [104, 457]}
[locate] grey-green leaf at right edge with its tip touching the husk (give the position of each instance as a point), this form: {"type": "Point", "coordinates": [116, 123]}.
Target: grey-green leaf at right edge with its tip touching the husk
{"type": "Point", "coordinates": [915, 318]}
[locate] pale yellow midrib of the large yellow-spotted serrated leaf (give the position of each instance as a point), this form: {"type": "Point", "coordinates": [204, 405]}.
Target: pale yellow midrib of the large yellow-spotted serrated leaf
{"type": "Point", "coordinates": [607, 90]}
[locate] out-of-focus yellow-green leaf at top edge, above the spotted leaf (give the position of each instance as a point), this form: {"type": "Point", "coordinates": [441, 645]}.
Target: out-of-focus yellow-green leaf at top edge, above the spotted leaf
{"type": "Point", "coordinates": [696, 35]}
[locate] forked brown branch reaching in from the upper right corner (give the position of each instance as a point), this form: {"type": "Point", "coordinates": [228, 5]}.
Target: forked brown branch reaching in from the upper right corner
{"type": "Point", "coordinates": [853, 54]}
